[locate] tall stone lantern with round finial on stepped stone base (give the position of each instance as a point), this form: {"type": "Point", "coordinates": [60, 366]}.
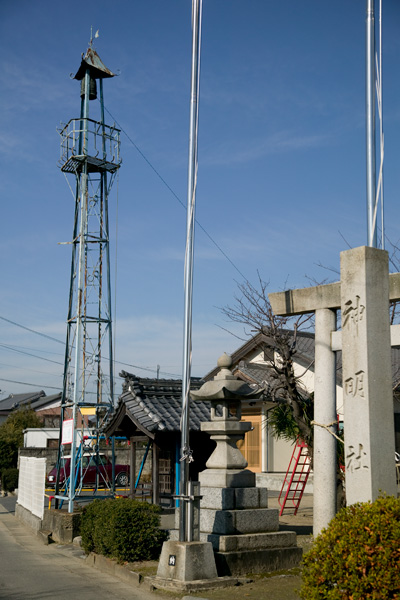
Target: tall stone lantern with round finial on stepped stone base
{"type": "Point", "coordinates": [234, 513]}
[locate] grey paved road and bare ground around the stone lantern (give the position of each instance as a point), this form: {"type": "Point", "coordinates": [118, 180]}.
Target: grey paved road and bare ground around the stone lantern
{"type": "Point", "coordinates": [32, 571]}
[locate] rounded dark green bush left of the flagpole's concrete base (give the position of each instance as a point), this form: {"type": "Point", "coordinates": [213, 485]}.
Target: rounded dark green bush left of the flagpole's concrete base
{"type": "Point", "coordinates": [124, 529]}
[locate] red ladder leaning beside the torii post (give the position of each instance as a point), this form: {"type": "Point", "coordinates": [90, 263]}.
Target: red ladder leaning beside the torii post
{"type": "Point", "coordinates": [296, 478]}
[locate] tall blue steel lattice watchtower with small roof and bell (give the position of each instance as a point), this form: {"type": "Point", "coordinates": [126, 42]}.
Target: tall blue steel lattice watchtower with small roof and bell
{"type": "Point", "coordinates": [90, 151]}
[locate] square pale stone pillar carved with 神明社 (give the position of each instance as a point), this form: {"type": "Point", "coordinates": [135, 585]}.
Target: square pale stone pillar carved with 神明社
{"type": "Point", "coordinates": [367, 378]}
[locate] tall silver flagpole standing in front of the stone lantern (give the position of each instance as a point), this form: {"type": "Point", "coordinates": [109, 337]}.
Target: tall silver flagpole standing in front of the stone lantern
{"type": "Point", "coordinates": [187, 342]}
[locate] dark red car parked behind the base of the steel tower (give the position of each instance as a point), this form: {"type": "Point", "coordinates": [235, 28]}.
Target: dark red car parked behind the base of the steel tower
{"type": "Point", "coordinates": [88, 471]}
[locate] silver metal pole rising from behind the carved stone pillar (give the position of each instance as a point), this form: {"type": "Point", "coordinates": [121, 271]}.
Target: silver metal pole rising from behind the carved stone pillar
{"type": "Point", "coordinates": [370, 124]}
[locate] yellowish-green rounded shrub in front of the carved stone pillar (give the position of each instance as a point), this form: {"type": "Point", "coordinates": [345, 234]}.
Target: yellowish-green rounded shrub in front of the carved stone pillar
{"type": "Point", "coordinates": [358, 556]}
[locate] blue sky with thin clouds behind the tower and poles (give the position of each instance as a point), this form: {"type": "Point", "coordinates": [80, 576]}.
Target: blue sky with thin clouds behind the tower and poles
{"type": "Point", "coordinates": [281, 179]}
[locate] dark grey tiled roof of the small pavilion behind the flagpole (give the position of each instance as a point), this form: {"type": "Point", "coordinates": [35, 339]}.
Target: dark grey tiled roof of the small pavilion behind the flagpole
{"type": "Point", "coordinates": [155, 404]}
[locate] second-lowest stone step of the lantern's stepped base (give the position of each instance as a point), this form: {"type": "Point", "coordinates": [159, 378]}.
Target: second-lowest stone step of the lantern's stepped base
{"type": "Point", "coordinates": [252, 541]}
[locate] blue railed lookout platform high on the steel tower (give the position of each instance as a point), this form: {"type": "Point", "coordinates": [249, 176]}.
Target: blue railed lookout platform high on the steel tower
{"type": "Point", "coordinates": [85, 140]}
